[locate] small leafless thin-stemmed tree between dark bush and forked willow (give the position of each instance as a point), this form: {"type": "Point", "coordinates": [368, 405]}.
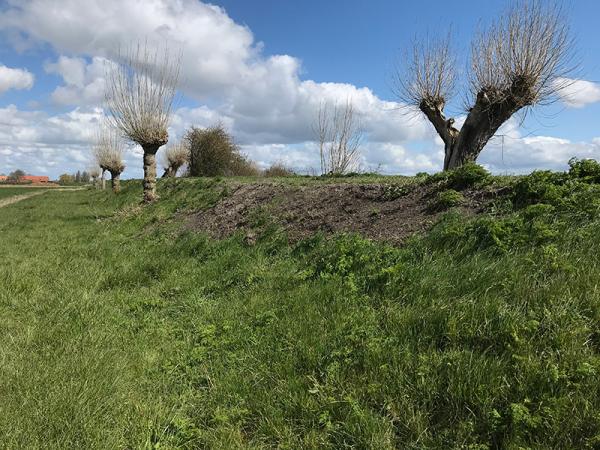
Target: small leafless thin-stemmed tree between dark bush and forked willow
{"type": "Point", "coordinates": [339, 136]}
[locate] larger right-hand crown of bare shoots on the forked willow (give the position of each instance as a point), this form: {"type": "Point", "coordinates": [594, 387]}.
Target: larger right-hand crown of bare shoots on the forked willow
{"type": "Point", "coordinates": [525, 57]}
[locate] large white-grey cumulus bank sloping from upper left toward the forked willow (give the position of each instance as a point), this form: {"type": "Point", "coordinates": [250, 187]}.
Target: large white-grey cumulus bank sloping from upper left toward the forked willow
{"type": "Point", "coordinates": [261, 96]}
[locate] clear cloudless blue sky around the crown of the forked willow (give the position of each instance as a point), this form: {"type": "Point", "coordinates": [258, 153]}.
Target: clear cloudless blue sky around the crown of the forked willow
{"type": "Point", "coordinates": [358, 41]}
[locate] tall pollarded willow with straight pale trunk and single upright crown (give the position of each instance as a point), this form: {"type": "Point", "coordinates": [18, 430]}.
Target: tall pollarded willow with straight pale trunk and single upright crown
{"type": "Point", "coordinates": [139, 97]}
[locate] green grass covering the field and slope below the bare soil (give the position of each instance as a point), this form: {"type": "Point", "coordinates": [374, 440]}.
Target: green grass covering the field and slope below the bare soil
{"type": "Point", "coordinates": [121, 328]}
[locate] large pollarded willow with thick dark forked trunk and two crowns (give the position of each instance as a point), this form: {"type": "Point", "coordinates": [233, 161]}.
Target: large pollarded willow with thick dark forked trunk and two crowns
{"type": "Point", "coordinates": [521, 61]}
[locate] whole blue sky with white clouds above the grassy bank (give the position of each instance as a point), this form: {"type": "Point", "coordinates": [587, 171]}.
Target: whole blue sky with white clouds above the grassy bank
{"type": "Point", "coordinates": [262, 68]}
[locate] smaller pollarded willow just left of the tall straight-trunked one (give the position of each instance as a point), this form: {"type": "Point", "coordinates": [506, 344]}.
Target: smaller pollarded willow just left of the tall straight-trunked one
{"type": "Point", "coordinates": [108, 151]}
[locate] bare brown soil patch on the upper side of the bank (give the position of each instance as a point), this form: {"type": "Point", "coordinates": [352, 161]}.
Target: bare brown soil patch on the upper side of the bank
{"type": "Point", "coordinates": [378, 211]}
